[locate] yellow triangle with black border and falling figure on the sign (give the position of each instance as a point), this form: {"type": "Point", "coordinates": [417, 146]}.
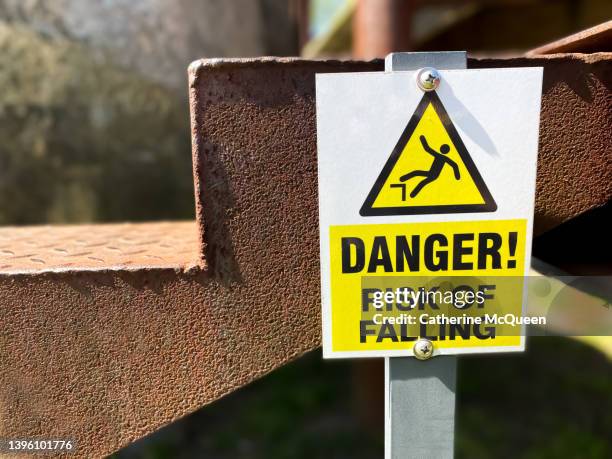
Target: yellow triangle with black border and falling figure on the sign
{"type": "Point", "coordinates": [429, 171]}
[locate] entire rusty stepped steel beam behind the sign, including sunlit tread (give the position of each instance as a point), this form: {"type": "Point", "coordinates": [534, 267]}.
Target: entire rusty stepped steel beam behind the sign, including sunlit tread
{"type": "Point", "coordinates": [108, 352]}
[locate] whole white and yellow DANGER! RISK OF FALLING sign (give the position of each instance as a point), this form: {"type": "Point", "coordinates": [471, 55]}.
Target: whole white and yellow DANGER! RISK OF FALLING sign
{"type": "Point", "coordinates": [426, 210]}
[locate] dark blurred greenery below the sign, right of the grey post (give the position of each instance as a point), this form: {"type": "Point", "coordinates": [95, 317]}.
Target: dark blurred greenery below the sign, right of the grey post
{"type": "Point", "coordinates": [554, 401]}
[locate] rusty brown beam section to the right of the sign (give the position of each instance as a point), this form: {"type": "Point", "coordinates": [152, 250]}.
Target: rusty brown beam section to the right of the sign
{"type": "Point", "coordinates": [575, 157]}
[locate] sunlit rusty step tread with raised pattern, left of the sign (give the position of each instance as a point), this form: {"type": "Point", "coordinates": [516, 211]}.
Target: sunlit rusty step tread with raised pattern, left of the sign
{"type": "Point", "coordinates": [102, 247]}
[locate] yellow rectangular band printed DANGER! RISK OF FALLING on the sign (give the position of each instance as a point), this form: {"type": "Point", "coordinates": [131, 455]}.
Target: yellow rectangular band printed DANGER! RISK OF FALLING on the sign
{"type": "Point", "coordinates": [388, 285]}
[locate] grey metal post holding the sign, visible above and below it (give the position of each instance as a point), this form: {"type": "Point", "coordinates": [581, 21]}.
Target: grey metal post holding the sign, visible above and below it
{"type": "Point", "coordinates": [420, 395]}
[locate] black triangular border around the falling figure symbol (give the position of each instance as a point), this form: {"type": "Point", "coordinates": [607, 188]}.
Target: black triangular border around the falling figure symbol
{"type": "Point", "coordinates": [488, 206]}
